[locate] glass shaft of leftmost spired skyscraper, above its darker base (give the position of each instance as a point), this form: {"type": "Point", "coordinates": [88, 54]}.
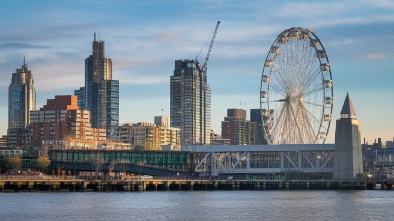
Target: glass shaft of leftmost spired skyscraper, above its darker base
{"type": "Point", "coordinates": [21, 98]}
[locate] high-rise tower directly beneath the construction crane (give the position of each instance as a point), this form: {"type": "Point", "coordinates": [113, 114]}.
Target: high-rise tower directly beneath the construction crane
{"type": "Point", "coordinates": [190, 103]}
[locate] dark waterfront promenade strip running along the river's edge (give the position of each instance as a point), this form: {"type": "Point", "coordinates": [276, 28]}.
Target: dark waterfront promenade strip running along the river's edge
{"type": "Point", "coordinates": [147, 183]}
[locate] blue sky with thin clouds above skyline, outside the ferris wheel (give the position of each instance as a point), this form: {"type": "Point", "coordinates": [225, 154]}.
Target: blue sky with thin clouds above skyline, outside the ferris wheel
{"type": "Point", "coordinates": [144, 38]}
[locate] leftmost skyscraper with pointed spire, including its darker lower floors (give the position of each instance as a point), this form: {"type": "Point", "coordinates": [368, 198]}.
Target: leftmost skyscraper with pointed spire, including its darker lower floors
{"type": "Point", "coordinates": [21, 100]}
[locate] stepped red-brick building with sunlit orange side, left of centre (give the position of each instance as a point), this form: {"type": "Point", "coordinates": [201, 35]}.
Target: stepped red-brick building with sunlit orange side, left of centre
{"type": "Point", "coordinates": [60, 124]}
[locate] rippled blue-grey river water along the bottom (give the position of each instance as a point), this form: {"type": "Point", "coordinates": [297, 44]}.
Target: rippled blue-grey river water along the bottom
{"type": "Point", "coordinates": [198, 205]}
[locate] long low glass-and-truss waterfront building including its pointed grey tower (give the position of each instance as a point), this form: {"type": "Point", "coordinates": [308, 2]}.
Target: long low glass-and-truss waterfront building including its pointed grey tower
{"type": "Point", "coordinates": [340, 161]}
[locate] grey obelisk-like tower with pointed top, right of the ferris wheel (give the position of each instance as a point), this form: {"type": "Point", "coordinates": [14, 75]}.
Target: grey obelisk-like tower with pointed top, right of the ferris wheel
{"type": "Point", "coordinates": [348, 161]}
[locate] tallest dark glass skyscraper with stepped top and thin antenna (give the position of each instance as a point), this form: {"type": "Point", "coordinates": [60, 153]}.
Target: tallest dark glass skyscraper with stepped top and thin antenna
{"type": "Point", "coordinates": [101, 94]}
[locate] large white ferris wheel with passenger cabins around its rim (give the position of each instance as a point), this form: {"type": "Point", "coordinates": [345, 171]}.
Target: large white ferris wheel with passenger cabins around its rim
{"type": "Point", "coordinates": [296, 92]}
